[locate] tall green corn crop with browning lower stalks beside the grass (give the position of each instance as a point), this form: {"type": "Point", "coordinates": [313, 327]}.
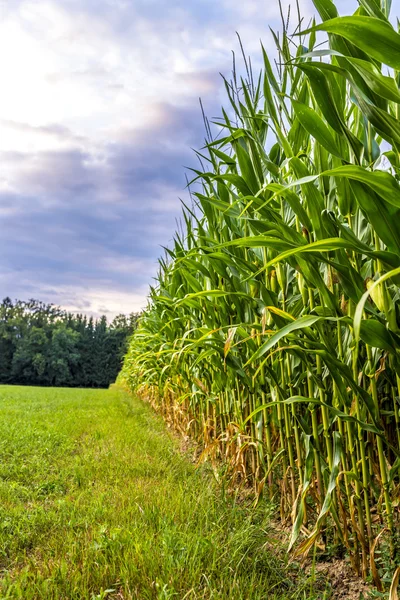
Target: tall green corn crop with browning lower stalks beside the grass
{"type": "Point", "coordinates": [272, 335]}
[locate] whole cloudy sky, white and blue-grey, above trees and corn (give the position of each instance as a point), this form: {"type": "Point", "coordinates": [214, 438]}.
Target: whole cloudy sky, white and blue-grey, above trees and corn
{"type": "Point", "coordinates": [99, 112]}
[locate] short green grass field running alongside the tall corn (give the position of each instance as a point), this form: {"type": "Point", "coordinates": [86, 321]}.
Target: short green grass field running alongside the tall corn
{"type": "Point", "coordinates": [96, 501]}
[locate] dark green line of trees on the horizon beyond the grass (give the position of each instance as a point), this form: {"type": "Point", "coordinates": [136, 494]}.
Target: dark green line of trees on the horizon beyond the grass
{"type": "Point", "coordinates": [42, 344]}
